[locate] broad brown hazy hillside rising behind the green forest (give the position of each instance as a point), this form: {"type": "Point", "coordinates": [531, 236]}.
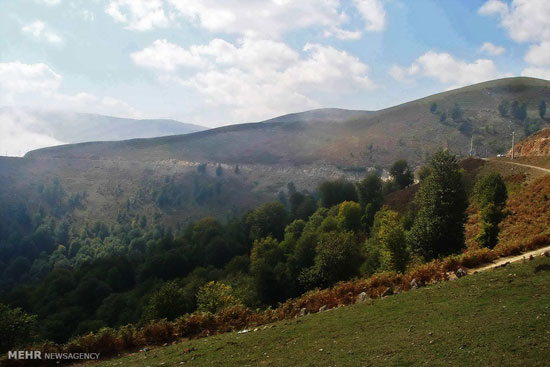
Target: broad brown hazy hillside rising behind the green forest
{"type": "Point", "coordinates": [176, 178]}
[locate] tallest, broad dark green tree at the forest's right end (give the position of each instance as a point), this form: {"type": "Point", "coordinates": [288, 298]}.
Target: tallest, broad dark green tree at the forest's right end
{"type": "Point", "coordinates": [438, 229]}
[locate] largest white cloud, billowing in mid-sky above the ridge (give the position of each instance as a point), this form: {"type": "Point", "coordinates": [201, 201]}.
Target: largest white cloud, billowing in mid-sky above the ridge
{"type": "Point", "coordinates": [256, 79]}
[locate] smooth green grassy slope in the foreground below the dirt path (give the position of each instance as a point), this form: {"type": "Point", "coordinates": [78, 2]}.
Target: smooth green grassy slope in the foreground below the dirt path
{"type": "Point", "coordinates": [496, 318]}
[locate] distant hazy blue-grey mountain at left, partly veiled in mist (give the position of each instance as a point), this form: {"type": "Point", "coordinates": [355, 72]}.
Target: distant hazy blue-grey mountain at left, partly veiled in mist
{"type": "Point", "coordinates": [52, 128]}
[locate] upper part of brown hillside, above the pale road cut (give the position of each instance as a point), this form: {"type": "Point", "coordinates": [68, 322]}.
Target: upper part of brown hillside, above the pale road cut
{"type": "Point", "coordinates": [409, 131]}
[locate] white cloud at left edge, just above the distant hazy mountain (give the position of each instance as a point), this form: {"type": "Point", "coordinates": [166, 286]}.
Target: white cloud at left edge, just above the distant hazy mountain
{"type": "Point", "coordinates": [37, 85]}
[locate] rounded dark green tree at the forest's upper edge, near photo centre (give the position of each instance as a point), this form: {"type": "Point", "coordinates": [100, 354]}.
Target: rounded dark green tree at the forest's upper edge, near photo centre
{"type": "Point", "coordinates": [268, 220]}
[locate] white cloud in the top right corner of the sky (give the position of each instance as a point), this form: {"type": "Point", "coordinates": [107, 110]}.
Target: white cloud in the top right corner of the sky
{"type": "Point", "coordinates": [525, 20]}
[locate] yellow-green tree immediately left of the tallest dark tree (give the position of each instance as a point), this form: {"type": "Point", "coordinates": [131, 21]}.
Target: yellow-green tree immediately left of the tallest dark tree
{"type": "Point", "coordinates": [388, 238]}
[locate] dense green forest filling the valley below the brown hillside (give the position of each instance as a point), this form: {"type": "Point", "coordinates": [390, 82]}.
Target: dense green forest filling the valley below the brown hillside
{"type": "Point", "coordinates": [58, 281]}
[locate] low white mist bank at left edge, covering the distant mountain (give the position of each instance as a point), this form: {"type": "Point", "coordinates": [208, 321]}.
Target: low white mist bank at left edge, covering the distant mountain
{"type": "Point", "coordinates": [18, 134]}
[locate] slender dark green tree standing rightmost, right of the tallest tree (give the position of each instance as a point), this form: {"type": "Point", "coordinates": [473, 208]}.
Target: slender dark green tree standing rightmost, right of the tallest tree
{"type": "Point", "coordinates": [491, 195]}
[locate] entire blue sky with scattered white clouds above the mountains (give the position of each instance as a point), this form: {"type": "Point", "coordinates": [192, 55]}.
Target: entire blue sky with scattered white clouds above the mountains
{"type": "Point", "coordinates": [218, 62]}
